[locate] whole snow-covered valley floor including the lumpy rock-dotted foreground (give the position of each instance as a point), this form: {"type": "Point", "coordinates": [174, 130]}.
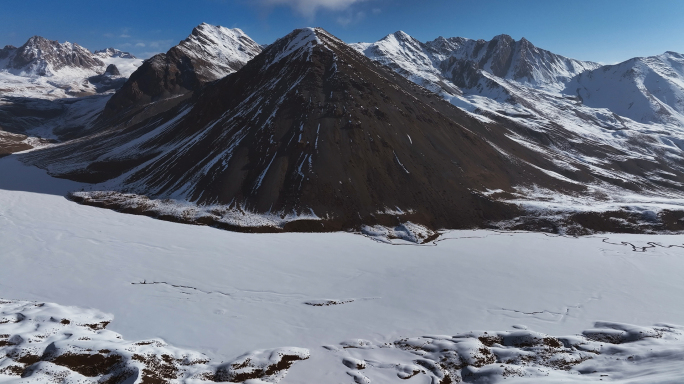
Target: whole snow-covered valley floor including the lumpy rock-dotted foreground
{"type": "Point", "coordinates": [356, 310]}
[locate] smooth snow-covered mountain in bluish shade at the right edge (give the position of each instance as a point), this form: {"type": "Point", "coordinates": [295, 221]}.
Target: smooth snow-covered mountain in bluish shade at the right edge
{"type": "Point", "coordinates": [644, 89]}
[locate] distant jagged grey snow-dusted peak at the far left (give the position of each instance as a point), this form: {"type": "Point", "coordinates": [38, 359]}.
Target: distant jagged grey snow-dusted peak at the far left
{"type": "Point", "coordinates": [41, 56]}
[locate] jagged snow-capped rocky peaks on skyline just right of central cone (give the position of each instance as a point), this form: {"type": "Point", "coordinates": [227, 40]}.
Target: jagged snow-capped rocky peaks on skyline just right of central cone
{"type": "Point", "coordinates": [449, 64]}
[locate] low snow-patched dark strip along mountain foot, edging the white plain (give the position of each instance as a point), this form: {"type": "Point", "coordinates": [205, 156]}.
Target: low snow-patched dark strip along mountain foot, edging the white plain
{"type": "Point", "coordinates": [569, 224]}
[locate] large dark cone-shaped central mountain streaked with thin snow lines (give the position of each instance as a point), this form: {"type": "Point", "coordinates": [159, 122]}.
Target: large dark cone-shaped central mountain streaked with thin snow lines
{"type": "Point", "coordinates": [313, 129]}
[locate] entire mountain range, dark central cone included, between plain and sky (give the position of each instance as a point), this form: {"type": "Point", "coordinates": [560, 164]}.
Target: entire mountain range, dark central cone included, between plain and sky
{"type": "Point", "coordinates": [311, 133]}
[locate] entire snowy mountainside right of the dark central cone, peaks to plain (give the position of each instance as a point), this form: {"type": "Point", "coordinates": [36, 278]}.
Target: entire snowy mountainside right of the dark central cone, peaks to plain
{"type": "Point", "coordinates": [605, 121]}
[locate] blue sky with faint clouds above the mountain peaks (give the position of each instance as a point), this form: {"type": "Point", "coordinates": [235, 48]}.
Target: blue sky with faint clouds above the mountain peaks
{"type": "Point", "coordinates": [607, 31]}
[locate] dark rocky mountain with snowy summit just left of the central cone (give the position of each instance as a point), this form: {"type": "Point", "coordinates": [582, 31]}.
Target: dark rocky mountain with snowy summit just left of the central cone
{"type": "Point", "coordinates": [208, 54]}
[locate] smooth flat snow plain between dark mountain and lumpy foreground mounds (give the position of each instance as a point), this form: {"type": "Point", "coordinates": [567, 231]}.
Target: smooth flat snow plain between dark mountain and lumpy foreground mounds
{"type": "Point", "coordinates": [223, 293]}
